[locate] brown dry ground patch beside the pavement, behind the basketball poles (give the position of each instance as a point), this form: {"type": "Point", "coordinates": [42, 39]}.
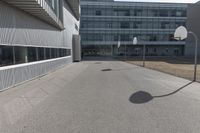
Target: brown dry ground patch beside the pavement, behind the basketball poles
{"type": "Point", "coordinates": [178, 66]}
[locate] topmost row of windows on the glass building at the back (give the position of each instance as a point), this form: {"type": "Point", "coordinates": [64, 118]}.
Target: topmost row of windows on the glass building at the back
{"type": "Point", "coordinates": [135, 12]}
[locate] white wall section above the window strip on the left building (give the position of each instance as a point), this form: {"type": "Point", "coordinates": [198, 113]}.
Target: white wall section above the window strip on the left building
{"type": "Point", "coordinates": [19, 27]}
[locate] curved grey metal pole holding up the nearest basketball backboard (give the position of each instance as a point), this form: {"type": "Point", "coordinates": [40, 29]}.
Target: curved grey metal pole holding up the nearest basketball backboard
{"type": "Point", "coordinates": [196, 54]}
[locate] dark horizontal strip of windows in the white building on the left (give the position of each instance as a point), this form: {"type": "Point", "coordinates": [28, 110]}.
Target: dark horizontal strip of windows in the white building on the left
{"type": "Point", "coordinates": [10, 55]}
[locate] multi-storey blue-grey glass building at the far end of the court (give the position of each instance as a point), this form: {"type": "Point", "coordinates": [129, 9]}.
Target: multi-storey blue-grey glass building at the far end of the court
{"type": "Point", "coordinates": [106, 22]}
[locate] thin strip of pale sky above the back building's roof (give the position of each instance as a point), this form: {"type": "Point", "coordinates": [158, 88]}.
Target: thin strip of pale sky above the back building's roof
{"type": "Point", "coordinates": [175, 1]}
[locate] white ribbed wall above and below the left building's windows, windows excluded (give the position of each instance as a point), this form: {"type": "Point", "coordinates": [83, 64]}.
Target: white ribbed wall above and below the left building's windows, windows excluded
{"type": "Point", "coordinates": [20, 28]}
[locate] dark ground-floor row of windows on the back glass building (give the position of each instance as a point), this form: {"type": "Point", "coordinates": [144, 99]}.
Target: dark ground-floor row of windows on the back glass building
{"type": "Point", "coordinates": [132, 50]}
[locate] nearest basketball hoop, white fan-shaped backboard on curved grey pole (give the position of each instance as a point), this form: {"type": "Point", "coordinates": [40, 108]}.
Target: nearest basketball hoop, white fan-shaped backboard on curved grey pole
{"type": "Point", "coordinates": [181, 33]}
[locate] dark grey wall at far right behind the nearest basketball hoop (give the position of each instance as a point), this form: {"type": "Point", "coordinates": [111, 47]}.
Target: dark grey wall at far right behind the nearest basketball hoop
{"type": "Point", "coordinates": [193, 24]}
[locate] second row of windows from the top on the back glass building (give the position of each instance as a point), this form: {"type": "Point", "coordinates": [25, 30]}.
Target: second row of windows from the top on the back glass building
{"type": "Point", "coordinates": [134, 25]}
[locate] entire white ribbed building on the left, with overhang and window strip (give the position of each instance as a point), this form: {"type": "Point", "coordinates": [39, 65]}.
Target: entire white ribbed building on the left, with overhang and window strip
{"type": "Point", "coordinates": [35, 38]}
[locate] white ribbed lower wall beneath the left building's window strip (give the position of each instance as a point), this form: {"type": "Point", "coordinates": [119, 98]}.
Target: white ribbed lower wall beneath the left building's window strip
{"type": "Point", "coordinates": [11, 77]}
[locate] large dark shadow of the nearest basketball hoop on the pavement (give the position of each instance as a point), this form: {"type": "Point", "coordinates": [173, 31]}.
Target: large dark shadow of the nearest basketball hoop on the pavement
{"type": "Point", "coordinates": [141, 97]}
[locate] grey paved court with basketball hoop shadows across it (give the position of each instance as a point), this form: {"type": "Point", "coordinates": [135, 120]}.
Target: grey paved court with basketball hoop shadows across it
{"type": "Point", "coordinates": [102, 97]}
